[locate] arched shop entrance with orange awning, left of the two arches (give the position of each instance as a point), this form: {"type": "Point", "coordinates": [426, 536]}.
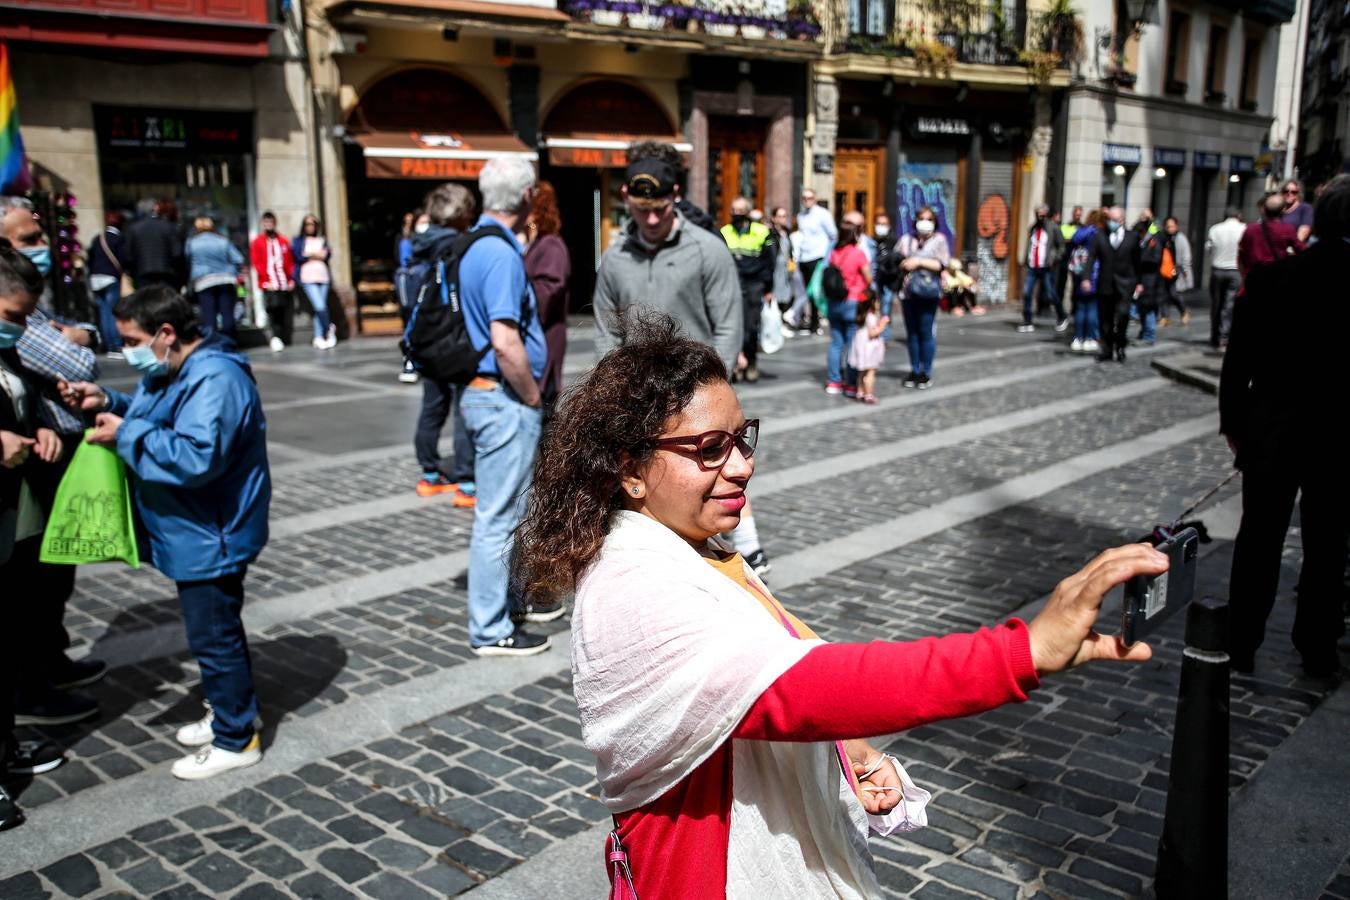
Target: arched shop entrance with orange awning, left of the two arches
{"type": "Point", "coordinates": [411, 130]}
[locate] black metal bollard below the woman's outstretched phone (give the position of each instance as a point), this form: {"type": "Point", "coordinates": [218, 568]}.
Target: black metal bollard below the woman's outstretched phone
{"type": "Point", "coordinates": [1194, 849]}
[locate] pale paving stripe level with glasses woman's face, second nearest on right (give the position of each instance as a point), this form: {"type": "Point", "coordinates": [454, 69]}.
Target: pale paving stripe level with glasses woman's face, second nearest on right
{"type": "Point", "coordinates": [834, 466]}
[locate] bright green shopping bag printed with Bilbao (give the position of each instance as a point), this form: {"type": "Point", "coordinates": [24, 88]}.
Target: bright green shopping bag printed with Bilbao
{"type": "Point", "coordinates": [91, 519]}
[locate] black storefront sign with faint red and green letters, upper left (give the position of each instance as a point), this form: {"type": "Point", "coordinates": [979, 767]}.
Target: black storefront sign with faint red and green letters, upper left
{"type": "Point", "coordinates": [124, 130]}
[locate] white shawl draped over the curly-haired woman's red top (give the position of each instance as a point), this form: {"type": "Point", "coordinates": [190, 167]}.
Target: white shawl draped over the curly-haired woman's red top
{"type": "Point", "coordinates": [669, 656]}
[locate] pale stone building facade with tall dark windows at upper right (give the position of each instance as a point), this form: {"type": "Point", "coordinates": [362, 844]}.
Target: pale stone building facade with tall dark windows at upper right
{"type": "Point", "coordinates": [1171, 110]}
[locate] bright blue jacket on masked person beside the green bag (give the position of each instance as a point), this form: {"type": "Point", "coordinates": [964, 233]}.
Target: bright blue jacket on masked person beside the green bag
{"type": "Point", "coordinates": [198, 450]}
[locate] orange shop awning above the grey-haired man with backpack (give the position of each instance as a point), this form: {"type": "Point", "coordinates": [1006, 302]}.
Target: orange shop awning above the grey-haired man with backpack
{"type": "Point", "coordinates": [435, 156]}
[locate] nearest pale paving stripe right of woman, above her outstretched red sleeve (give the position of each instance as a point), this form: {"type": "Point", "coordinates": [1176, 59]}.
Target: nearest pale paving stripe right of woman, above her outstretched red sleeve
{"type": "Point", "coordinates": [882, 538]}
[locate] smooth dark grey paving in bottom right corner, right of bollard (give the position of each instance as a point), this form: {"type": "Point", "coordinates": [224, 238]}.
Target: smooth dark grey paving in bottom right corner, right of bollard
{"type": "Point", "coordinates": [1287, 828]}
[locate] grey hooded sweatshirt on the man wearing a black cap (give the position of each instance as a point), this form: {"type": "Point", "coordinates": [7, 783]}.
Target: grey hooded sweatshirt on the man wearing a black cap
{"type": "Point", "coordinates": [692, 279]}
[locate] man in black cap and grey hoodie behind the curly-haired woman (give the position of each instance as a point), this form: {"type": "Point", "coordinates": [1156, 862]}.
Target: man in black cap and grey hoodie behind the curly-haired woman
{"type": "Point", "coordinates": [666, 265]}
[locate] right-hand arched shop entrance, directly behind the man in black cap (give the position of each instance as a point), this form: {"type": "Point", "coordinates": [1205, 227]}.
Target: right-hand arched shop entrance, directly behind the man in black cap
{"type": "Point", "coordinates": [588, 132]}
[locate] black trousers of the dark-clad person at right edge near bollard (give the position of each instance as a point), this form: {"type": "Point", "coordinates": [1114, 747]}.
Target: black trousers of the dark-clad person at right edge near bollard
{"type": "Point", "coordinates": [1268, 495]}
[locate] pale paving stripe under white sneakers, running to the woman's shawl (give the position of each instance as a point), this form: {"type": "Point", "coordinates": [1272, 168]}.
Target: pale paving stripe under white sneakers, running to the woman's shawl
{"type": "Point", "coordinates": [68, 826]}
